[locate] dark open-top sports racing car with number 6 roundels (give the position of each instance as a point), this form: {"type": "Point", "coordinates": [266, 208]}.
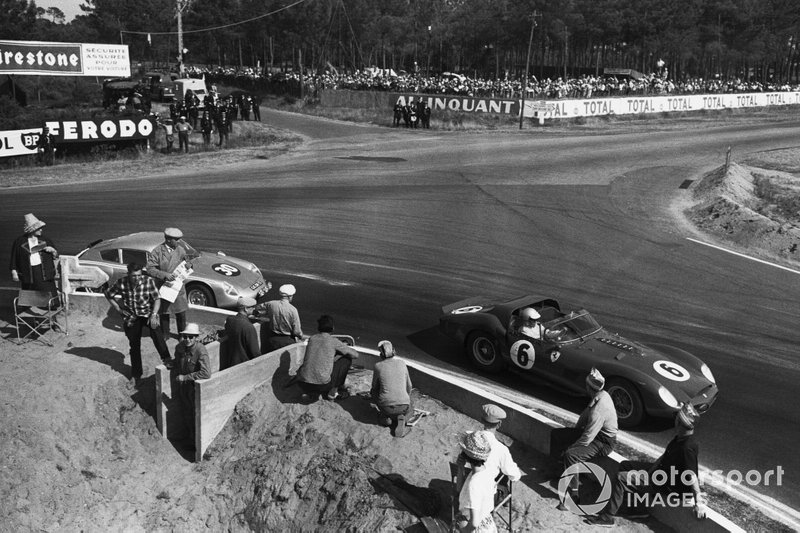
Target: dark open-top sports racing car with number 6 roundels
{"type": "Point", "coordinates": [642, 380]}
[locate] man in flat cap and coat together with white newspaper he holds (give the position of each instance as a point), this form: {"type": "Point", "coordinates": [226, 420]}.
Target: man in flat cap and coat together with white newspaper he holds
{"type": "Point", "coordinates": [168, 263]}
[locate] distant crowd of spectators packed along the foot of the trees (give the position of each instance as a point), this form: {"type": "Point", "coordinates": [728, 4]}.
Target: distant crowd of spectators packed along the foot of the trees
{"type": "Point", "coordinates": [583, 87]}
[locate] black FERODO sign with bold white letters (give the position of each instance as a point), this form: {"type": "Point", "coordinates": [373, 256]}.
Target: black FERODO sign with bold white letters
{"type": "Point", "coordinates": [67, 131]}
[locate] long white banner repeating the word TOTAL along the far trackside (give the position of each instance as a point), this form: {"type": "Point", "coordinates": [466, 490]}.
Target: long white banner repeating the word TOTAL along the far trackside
{"type": "Point", "coordinates": [552, 109]}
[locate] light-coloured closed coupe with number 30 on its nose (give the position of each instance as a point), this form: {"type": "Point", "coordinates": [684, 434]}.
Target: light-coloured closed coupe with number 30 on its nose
{"type": "Point", "coordinates": [218, 280]}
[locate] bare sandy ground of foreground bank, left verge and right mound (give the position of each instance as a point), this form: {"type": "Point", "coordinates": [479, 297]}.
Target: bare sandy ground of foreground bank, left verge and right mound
{"type": "Point", "coordinates": [81, 450]}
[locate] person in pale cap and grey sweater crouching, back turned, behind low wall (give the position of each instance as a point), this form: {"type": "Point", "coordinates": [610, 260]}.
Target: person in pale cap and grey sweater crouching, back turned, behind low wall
{"type": "Point", "coordinates": [391, 390]}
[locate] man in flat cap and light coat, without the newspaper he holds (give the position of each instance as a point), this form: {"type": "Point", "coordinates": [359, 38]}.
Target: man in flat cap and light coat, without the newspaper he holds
{"type": "Point", "coordinates": [161, 263]}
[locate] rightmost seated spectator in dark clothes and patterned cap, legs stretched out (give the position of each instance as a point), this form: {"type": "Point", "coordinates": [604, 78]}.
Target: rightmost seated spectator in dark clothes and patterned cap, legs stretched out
{"type": "Point", "coordinates": [677, 465]}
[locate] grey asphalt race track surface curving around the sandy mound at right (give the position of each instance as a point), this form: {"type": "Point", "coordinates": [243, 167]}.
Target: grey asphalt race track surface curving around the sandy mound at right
{"type": "Point", "coordinates": [380, 227]}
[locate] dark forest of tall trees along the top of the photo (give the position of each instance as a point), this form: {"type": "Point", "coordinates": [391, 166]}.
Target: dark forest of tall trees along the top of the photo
{"type": "Point", "coordinates": [488, 38]}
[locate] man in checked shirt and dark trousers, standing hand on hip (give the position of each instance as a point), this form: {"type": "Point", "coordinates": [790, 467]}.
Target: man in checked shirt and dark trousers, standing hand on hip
{"type": "Point", "coordinates": [139, 307]}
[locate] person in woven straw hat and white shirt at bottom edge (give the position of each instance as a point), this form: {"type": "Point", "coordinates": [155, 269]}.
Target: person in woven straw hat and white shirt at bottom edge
{"type": "Point", "coordinates": [476, 499]}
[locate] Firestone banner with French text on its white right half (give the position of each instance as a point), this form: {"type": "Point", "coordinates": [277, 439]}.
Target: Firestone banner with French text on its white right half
{"type": "Point", "coordinates": [64, 59]}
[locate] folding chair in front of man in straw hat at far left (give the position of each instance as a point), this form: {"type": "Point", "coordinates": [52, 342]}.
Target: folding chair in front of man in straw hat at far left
{"type": "Point", "coordinates": [37, 311]}
